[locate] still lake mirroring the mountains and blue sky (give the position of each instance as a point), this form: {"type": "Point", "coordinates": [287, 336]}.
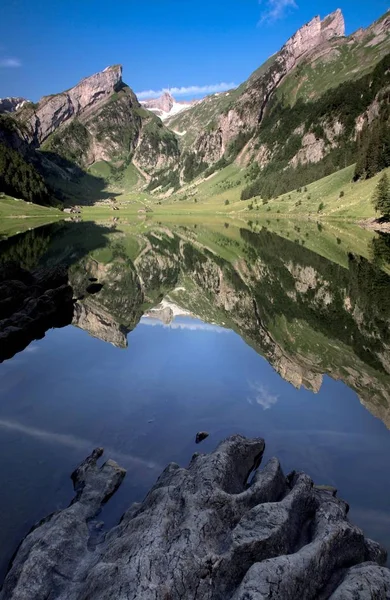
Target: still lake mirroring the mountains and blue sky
{"type": "Point", "coordinates": [272, 329]}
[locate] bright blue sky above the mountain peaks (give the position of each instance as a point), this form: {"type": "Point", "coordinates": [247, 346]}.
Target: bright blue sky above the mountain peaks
{"type": "Point", "coordinates": [47, 46]}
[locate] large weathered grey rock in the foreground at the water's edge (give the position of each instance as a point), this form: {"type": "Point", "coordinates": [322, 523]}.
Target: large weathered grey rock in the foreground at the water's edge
{"type": "Point", "coordinates": [202, 533]}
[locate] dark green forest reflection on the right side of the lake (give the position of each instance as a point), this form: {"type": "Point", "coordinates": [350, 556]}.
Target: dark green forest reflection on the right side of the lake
{"type": "Point", "coordinates": [364, 283]}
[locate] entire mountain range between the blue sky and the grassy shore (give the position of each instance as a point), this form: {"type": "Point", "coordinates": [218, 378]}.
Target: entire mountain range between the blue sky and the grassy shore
{"type": "Point", "coordinates": [318, 105]}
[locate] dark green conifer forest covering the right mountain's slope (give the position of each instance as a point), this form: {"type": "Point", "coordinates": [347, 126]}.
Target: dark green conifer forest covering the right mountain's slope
{"type": "Point", "coordinates": [344, 104]}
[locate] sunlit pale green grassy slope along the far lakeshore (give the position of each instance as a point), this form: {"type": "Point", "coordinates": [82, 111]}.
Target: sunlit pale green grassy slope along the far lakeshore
{"type": "Point", "coordinates": [341, 199]}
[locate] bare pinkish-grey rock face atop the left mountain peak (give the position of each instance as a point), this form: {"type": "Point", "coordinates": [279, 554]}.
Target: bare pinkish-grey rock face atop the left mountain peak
{"type": "Point", "coordinates": [53, 111]}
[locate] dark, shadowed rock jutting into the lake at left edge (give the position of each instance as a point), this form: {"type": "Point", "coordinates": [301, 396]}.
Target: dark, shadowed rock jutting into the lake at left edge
{"type": "Point", "coordinates": [31, 303]}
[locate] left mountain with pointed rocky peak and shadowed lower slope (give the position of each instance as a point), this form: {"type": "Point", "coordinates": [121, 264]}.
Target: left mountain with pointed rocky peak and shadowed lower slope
{"type": "Point", "coordinates": [97, 122]}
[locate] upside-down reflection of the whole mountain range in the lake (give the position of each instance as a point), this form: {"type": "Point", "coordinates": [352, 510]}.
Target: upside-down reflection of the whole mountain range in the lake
{"type": "Point", "coordinates": [307, 315]}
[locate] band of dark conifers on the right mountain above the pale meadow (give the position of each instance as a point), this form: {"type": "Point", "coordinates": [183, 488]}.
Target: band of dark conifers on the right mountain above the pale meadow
{"type": "Point", "coordinates": [344, 103]}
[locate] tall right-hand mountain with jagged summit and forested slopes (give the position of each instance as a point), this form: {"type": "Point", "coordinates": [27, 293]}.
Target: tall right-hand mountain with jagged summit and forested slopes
{"type": "Point", "coordinates": [299, 116]}
